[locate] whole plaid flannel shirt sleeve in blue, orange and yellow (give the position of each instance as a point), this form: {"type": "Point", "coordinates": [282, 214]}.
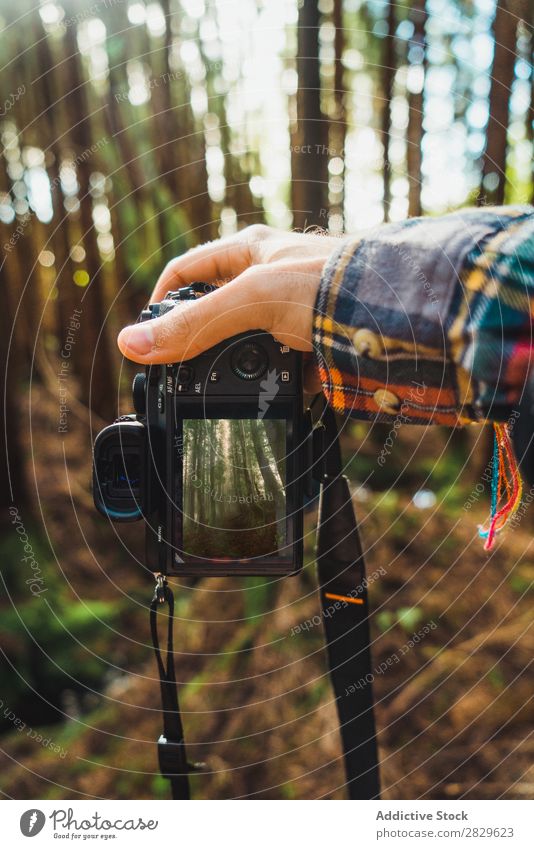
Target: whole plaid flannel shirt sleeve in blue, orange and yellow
{"type": "Point", "coordinates": [429, 320]}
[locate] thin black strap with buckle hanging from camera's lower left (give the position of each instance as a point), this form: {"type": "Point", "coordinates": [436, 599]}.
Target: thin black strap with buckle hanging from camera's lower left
{"type": "Point", "coordinates": [172, 756]}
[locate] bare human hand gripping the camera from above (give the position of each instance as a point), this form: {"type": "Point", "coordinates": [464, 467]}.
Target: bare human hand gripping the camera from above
{"type": "Point", "coordinates": [268, 280]}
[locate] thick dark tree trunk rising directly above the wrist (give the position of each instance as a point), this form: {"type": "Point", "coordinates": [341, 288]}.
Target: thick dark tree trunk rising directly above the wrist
{"type": "Point", "coordinates": [309, 142]}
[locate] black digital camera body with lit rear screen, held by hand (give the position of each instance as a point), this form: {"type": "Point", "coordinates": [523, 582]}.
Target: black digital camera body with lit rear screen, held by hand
{"type": "Point", "coordinates": [213, 459]}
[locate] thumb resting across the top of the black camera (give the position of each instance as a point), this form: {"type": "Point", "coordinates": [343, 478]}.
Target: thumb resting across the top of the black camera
{"type": "Point", "coordinates": [194, 326]}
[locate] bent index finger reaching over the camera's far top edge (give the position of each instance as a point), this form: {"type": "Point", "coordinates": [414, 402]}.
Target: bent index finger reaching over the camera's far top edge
{"type": "Point", "coordinates": [219, 260]}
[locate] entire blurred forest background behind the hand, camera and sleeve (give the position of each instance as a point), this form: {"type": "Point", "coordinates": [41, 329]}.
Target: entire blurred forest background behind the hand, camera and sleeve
{"type": "Point", "coordinates": [131, 131]}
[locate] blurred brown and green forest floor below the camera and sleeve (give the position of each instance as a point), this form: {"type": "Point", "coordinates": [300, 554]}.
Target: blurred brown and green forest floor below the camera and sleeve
{"type": "Point", "coordinates": [454, 713]}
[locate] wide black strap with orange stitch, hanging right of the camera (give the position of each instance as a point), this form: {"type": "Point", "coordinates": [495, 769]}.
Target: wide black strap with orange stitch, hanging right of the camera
{"type": "Point", "coordinates": [343, 592]}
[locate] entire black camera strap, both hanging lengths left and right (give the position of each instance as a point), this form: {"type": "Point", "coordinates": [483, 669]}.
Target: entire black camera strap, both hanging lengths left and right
{"type": "Point", "coordinates": [342, 584]}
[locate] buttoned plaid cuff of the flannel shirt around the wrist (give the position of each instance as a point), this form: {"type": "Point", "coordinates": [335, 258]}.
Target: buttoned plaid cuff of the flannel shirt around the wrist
{"type": "Point", "coordinates": [386, 318]}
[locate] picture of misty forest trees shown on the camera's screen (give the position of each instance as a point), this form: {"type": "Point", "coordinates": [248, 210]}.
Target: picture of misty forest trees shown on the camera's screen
{"type": "Point", "coordinates": [234, 478]}
